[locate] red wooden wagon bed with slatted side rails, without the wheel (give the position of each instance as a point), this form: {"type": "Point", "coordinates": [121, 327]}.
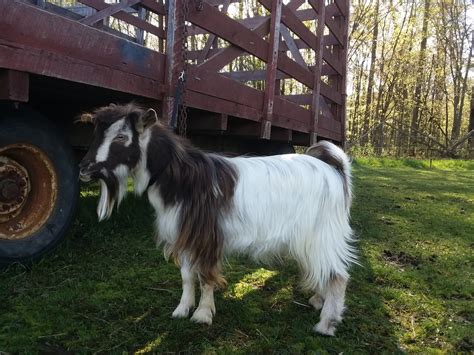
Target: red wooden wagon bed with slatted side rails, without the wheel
{"type": "Point", "coordinates": [294, 44]}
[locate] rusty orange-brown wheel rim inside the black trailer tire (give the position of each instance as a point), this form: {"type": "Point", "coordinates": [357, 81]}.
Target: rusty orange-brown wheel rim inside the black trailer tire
{"type": "Point", "coordinates": [28, 190]}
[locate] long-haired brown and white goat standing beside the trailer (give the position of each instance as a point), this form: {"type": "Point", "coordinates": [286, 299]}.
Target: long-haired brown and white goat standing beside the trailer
{"type": "Point", "coordinates": [208, 206]}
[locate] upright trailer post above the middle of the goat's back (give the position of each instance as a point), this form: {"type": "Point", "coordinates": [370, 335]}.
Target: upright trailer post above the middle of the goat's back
{"type": "Point", "coordinates": [272, 63]}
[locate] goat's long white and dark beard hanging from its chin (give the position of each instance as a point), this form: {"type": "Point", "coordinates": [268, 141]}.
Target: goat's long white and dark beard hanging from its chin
{"type": "Point", "coordinates": [113, 189]}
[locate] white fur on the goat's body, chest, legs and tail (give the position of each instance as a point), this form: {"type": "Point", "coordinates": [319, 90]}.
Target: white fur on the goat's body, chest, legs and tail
{"type": "Point", "coordinates": [283, 205]}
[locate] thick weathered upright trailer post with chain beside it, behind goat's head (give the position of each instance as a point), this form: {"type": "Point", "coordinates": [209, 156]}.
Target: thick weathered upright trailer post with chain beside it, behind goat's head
{"type": "Point", "coordinates": [174, 59]}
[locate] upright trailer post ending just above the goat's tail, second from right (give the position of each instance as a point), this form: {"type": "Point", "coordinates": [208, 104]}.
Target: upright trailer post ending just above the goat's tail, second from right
{"type": "Point", "coordinates": [315, 106]}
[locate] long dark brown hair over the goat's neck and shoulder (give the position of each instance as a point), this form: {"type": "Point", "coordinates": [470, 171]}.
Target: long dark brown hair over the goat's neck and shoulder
{"type": "Point", "coordinates": [204, 186]}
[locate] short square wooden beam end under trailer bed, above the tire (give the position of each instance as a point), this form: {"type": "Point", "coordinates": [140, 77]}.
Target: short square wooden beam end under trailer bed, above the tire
{"type": "Point", "coordinates": [14, 85]}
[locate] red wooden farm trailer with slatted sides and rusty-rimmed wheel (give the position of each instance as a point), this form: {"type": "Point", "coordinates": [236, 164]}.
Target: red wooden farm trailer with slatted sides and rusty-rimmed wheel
{"type": "Point", "coordinates": [260, 76]}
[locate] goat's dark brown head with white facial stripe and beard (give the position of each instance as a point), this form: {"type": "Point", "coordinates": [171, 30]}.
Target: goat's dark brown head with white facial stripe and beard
{"type": "Point", "coordinates": [115, 150]}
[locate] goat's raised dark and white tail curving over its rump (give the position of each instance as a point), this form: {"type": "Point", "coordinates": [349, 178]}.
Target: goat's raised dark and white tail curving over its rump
{"type": "Point", "coordinates": [333, 155]}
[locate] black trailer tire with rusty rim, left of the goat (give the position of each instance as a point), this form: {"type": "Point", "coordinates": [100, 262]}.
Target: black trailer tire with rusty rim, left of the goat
{"type": "Point", "coordinates": [38, 172]}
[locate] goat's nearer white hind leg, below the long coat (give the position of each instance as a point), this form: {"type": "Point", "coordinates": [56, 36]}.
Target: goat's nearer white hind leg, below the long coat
{"type": "Point", "coordinates": [333, 306]}
